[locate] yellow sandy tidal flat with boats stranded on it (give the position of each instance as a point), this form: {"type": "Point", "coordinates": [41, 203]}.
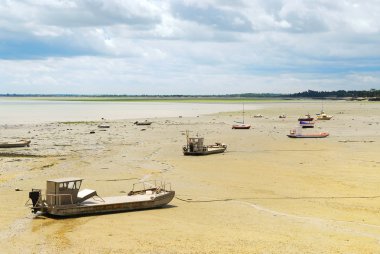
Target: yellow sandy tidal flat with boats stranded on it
{"type": "Point", "coordinates": [266, 194]}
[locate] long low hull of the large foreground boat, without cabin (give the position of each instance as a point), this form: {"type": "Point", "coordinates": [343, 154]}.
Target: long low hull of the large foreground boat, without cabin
{"type": "Point", "coordinates": [109, 206]}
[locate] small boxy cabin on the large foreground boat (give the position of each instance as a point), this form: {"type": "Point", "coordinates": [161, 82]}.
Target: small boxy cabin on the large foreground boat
{"type": "Point", "coordinates": [65, 191]}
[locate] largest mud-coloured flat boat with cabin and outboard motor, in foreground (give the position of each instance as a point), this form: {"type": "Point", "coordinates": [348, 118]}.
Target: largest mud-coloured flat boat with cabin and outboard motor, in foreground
{"type": "Point", "coordinates": [63, 198]}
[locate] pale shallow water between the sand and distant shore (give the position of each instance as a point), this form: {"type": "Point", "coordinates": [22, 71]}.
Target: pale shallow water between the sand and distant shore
{"type": "Point", "coordinates": [20, 111]}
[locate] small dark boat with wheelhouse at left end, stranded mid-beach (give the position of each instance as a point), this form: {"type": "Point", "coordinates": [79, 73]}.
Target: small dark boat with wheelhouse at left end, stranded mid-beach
{"type": "Point", "coordinates": [195, 146]}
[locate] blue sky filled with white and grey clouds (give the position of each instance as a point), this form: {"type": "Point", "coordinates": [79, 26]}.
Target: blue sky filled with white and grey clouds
{"type": "Point", "coordinates": [188, 46]}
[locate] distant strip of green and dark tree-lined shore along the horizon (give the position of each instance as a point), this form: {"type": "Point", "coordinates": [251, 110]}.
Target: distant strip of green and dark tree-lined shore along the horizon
{"type": "Point", "coordinates": [370, 95]}
